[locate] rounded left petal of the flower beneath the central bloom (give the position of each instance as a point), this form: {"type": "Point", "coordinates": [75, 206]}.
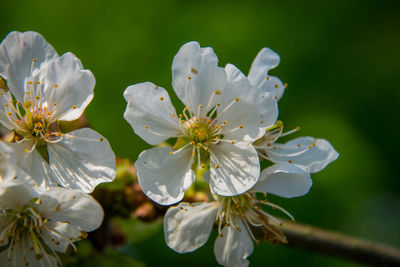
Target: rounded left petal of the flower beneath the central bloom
{"type": "Point", "coordinates": [188, 226]}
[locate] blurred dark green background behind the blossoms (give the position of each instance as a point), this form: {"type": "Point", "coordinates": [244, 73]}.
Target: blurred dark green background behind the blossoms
{"type": "Point", "coordinates": [341, 60]}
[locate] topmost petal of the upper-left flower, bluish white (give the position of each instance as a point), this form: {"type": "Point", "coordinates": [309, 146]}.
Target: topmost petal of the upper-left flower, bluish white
{"type": "Point", "coordinates": [16, 54]}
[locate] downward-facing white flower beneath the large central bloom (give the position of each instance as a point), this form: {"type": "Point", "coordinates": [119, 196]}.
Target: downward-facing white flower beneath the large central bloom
{"type": "Point", "coordinates": [188, 226]}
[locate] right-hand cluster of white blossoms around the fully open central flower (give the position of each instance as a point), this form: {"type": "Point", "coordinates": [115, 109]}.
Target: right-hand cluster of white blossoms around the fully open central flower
{"type": "Point", "coordinates": [228, 125]}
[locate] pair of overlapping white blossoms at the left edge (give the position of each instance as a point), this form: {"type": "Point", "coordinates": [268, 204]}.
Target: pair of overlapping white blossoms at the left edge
{"type": "Point", "coordinates": [45, 172]}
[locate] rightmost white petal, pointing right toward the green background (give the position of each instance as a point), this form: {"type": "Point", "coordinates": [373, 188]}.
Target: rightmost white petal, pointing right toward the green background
{"type": "Point", "coordinates": [311, 153]}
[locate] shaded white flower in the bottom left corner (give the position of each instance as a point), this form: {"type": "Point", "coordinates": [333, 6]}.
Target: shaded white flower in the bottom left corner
{"type": "Point", "coordinates": [34, 223]}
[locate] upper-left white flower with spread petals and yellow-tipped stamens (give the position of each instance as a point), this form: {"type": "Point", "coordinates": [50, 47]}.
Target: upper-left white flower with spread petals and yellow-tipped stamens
{"type": "Point", "coordinates": [45, 88]}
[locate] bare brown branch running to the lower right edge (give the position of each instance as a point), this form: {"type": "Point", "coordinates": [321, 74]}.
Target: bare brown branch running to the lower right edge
{"type": "Point", "coordinates": [338, 245]}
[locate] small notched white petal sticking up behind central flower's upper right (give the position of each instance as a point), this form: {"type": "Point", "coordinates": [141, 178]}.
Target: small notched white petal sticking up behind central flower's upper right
{"type": "Point", "coordinates": [266, 60]}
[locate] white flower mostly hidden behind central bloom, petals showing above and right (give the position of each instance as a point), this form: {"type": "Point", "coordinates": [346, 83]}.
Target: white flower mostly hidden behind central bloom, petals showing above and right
{"type": "Point", "coordinates": [308, 152]}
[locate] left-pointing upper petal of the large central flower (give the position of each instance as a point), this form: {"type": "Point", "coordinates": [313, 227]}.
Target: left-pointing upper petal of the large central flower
{"type": "Point", "coordinates": [150, 113]}
